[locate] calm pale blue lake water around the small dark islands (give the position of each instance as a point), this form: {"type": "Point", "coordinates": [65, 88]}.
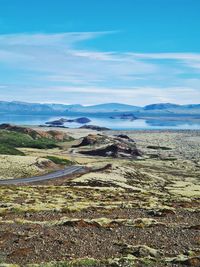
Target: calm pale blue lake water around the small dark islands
{"type": "Point", "coordinates": [116, 123]}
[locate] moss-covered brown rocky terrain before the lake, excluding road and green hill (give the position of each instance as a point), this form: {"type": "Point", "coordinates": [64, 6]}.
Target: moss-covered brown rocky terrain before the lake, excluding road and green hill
{"type": "Point", "coordinates": [127, 210]}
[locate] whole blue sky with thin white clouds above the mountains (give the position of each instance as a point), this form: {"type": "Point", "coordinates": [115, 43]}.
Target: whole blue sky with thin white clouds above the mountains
{"type": "Point", "coordinates": [89, 52]}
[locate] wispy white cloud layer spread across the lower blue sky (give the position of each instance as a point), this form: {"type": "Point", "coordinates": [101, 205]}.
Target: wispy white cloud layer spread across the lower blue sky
{"type": "Point", "coordinates": [51, 66]}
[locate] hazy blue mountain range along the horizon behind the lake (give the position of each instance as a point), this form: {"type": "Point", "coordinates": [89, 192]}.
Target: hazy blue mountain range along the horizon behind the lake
{"type": "Point", "coordinates": [159, 109]}
